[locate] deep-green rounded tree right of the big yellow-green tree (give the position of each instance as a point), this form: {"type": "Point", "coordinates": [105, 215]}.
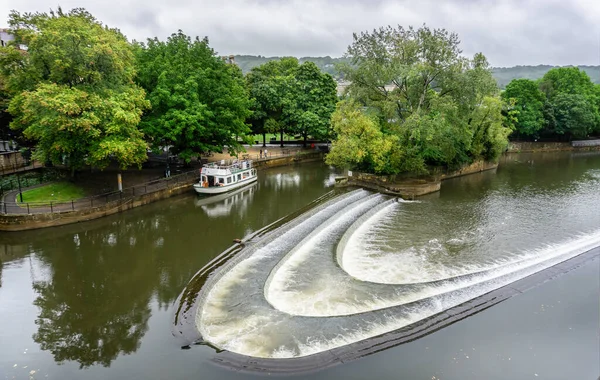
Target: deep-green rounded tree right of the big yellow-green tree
{"type": "Point", "coordinates": [199, 103]}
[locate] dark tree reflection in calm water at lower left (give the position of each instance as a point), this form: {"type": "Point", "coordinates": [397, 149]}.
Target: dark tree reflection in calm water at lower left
{"type": "Point", "coordinates": [95, 305]}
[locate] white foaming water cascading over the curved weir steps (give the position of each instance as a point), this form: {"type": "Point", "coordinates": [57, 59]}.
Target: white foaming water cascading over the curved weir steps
{"type": "Point", "coordinates": [327, 279]}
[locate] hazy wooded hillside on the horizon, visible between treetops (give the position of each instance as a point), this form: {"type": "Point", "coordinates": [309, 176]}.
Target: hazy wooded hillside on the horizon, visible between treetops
{"type": "Point", "coordinates": [502, 74]}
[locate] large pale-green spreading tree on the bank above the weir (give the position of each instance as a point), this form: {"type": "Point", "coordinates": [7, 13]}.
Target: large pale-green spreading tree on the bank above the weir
{"type": "Point", "coordinates": [440, 107]}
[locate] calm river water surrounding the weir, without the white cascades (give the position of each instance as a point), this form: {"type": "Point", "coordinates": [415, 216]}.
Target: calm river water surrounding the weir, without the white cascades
{"type": "Point", "coordinates": [97, 300]}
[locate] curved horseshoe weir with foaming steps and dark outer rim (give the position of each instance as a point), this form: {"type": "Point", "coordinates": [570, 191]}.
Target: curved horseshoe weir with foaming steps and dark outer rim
{"type": "Point", "coordinates": [343, 278]}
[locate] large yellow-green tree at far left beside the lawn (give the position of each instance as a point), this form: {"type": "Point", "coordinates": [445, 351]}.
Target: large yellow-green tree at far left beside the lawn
{"type": "Point", "coordinates": [72, 91]}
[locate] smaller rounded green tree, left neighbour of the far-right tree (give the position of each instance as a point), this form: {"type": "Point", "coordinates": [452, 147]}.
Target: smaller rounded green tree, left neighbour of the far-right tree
{"type": "Point", "coordinates": [529, 104]}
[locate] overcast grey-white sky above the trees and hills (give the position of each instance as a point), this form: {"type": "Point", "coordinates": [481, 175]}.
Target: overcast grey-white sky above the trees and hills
{"type": "Point", "coordinates": [508, 32]}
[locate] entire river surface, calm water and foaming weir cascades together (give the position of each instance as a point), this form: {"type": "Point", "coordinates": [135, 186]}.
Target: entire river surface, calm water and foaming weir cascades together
{"type": "Point", "coordinates": [98, 299]}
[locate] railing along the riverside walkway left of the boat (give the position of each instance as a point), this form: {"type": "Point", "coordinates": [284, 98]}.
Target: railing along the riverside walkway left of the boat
{"type": "Point", "coordinates": [115, 198]}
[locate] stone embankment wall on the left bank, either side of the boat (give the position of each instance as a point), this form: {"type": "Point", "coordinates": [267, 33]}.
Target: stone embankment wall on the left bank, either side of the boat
{"type": "Point", "coordinates": [19, 218]}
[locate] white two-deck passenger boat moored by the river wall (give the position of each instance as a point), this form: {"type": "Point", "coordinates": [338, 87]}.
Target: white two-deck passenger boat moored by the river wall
{"type": "Point", "coordinates": [221, 177]}
